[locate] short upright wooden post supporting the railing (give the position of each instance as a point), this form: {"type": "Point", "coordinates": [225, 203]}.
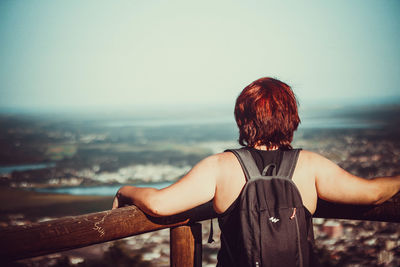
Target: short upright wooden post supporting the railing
{"type": "Point", "coordinates": [186, 246]}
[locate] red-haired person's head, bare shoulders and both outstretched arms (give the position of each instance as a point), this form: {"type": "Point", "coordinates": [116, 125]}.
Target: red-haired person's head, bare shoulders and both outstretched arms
{"type": "Point", "coordinates": [266, 114]}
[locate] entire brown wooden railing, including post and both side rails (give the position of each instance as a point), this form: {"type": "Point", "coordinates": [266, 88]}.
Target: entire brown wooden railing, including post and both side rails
{"type": "Point", "coordinates": [19, 242]}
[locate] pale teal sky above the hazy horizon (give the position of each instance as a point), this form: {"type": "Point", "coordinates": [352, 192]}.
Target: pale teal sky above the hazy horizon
{"type": "Point", "coordinates": [112, 54]}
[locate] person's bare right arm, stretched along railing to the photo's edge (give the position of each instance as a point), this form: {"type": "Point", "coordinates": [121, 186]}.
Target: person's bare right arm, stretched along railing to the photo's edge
{"type": "Point", "coordinates": [337, 185]}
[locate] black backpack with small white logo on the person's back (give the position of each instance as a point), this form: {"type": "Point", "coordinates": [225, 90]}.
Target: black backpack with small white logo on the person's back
{"type": "Point", "coordinates": [275, 230]}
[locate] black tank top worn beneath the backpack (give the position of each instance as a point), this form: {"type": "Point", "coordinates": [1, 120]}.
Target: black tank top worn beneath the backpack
{"type": "Point", "coordinates": [229, 222]}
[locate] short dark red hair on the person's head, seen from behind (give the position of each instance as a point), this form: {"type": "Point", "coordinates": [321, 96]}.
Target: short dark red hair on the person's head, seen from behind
{"type": "Point", "coordinates": [266, 114]}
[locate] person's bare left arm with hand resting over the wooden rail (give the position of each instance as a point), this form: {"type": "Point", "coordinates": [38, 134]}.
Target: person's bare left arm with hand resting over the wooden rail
{"type": "Point", "coordinates": [195, 188]}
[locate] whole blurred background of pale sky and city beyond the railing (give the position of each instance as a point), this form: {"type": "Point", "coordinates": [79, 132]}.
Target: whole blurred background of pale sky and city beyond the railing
{"type": "Point", "coordinates": [96, 95]}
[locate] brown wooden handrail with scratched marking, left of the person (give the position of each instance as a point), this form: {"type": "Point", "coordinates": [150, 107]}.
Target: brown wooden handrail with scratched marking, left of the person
{"type": "Point", "coordinates": [18, 242]}
